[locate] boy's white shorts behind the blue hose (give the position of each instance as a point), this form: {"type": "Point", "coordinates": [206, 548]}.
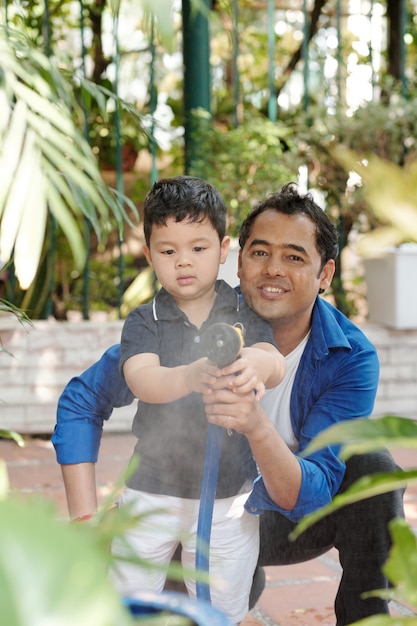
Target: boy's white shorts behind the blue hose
{"type": "Point", "coordinates": [169, 521]}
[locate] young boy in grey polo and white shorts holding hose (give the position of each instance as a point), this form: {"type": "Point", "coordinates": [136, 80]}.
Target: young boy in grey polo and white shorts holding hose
{"type": "Point", "coordinates": [165, 368]}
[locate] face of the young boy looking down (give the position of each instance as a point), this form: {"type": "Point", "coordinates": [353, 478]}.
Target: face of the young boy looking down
{"type": "Point", "coordinates": [185, 257]}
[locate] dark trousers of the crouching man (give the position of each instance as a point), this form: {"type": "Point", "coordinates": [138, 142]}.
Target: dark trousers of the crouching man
{"type": "Point", "coordinates": [358, 531]}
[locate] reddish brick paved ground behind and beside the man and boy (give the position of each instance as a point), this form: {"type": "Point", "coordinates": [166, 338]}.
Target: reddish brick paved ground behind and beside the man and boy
{"type": "Point", "coordinates": [296, 595]}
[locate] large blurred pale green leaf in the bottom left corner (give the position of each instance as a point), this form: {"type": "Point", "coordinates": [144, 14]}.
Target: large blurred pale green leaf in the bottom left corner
{"type": "Point", "coordinates": [51, 572]}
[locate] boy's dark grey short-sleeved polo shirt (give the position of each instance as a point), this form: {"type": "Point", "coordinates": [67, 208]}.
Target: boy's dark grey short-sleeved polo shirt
{"type": "Point", "coordinates": [172, 436]}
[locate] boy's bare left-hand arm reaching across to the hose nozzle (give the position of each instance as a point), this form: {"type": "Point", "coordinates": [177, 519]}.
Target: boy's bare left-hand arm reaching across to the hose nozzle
{"type": "Point", "coordinates": [156, 384]}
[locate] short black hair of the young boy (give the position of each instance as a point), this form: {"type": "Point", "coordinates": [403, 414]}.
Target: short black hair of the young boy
{"type": "Point", "coordinates": [184, 198]}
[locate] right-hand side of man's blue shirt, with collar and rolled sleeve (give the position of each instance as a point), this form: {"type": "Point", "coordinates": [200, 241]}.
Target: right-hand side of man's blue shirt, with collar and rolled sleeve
{"type": "Point", "coordinates": [336, 380]}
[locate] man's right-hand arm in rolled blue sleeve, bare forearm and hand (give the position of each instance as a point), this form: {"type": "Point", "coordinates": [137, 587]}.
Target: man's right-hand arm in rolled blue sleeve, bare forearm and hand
{"type": "Point", "coordinates": [347, 391]}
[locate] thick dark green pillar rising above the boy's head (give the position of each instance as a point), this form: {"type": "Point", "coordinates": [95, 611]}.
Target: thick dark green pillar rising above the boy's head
{"type": "Point", "coordinates": [197, 79]}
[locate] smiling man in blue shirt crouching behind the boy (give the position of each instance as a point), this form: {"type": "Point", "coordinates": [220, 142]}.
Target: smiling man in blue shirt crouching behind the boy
{"type": "Point", "coordinates": [287, 258]}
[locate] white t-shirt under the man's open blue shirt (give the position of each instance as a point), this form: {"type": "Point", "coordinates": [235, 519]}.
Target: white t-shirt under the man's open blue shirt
{"type": "Point", "coordinates": [276, 401]}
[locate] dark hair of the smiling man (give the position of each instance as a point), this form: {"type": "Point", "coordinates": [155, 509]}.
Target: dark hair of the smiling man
{"type": "Point", "coordinates": [290, 202]}
